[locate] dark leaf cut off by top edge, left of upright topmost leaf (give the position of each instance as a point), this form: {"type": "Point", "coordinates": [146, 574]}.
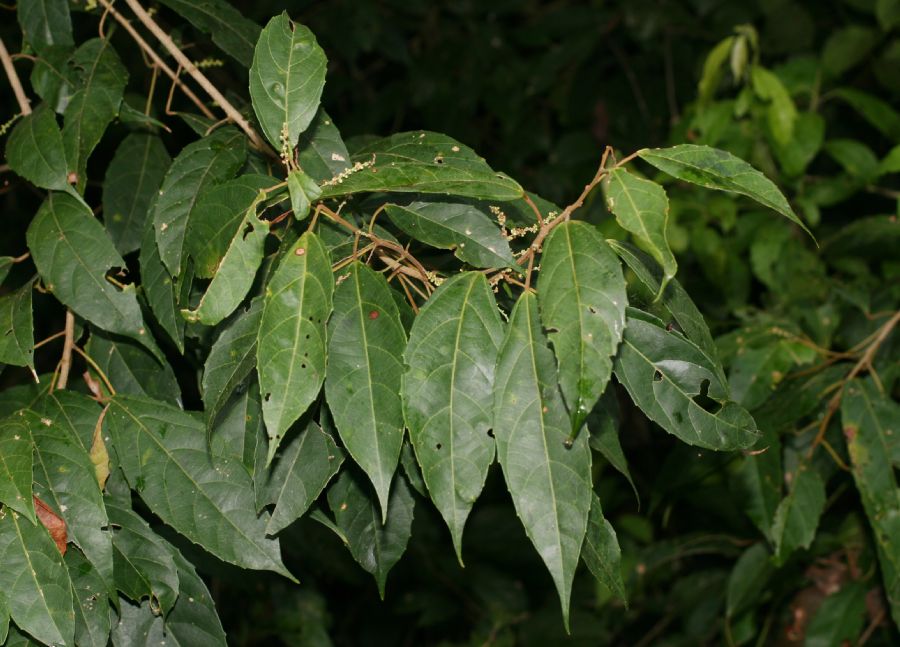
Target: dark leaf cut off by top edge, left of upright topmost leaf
{"type": "Point", "coordinates": [233, 33]}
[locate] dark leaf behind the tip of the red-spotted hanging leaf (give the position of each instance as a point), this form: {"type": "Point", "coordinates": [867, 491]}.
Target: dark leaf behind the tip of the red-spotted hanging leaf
{"type": "Point", "coordinates": [375, 543]}
